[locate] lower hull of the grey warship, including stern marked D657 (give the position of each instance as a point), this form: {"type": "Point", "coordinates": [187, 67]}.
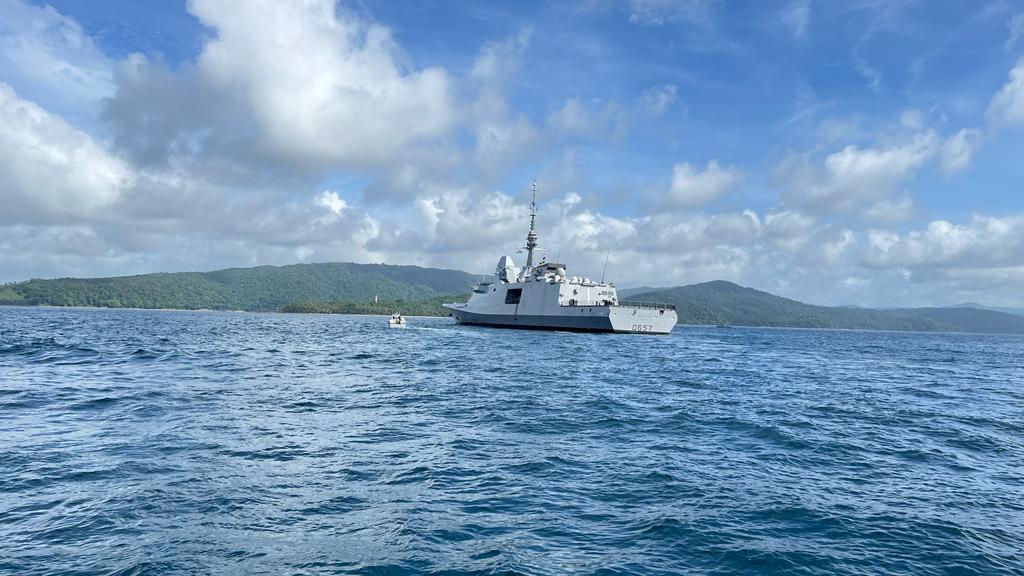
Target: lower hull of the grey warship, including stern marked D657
{"type": "Point", "coordinates": [580, 319]}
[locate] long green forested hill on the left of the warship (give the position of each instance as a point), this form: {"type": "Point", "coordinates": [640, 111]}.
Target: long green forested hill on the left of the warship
{"type": "Point", "coordinates": [262, 289]}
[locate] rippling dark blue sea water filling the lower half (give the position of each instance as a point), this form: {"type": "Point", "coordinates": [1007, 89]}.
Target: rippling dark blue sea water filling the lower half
{"type": "Point", "coordinates": [137, 442]}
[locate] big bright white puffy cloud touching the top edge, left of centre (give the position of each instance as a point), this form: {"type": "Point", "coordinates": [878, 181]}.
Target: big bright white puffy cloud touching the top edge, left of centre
{"type": "Point", "coordinates": [322, 87]}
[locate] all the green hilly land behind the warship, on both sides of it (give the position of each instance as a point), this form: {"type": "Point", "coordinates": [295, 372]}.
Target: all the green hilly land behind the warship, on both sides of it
{"type": "Point", "coordinates": [352, 289]}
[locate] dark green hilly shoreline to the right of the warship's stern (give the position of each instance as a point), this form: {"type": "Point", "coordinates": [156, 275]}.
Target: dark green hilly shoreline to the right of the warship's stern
{"type": "Point", "coordinates": [727, 304]}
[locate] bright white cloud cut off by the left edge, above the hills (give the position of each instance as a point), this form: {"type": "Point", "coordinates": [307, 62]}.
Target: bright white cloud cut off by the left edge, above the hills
{"type": "Point", "coordinates": [50, 171]}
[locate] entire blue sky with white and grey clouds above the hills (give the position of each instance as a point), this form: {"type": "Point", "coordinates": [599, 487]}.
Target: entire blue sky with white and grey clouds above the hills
{"type": "Point", "coordinates": [866, 152]}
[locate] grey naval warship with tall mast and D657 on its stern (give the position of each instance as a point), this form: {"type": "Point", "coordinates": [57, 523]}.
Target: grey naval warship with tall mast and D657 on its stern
{"type": "Point", "coordinates": [543, 297]}
